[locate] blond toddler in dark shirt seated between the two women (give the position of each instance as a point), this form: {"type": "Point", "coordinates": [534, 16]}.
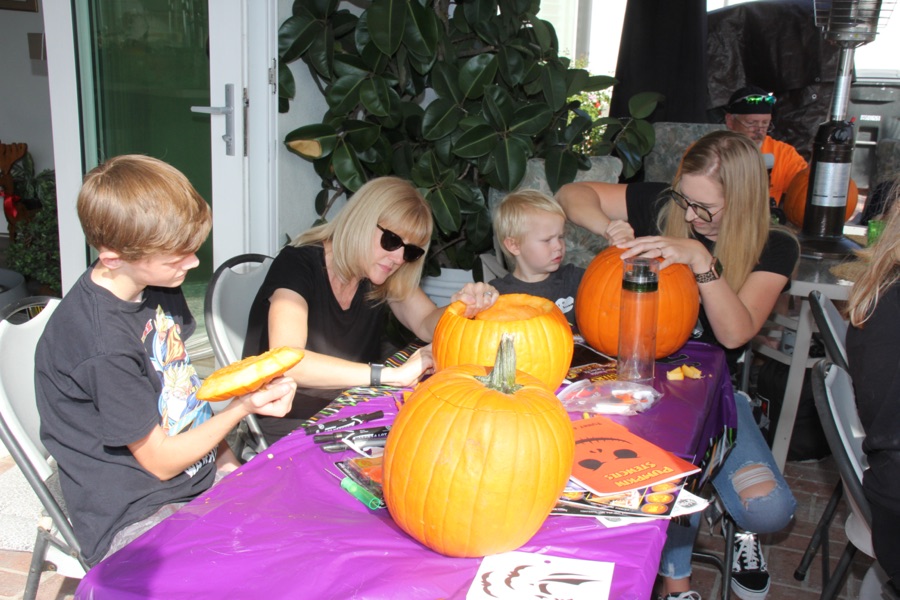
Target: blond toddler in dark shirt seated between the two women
{"type": "Point", "coordinates": [530, 226]}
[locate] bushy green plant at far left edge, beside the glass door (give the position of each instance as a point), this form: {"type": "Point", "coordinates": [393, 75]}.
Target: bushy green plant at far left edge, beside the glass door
{"type": "Point", "coordinates": [35, 250]}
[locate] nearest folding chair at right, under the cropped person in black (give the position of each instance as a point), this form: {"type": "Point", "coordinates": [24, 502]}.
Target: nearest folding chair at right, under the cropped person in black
{"type": "Point", "coordinates": [836, 405]}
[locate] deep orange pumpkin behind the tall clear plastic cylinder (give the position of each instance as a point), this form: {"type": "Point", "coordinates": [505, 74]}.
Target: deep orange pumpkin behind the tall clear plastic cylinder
{"type": "Point", "coordinates": [599, 296]}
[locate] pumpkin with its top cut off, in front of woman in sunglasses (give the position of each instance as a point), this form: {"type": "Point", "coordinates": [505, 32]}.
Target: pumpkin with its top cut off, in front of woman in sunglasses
{"type": "Point", "coordinates": [544, 343]}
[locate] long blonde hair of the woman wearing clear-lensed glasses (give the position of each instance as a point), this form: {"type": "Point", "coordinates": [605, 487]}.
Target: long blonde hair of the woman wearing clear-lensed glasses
{"type": "Point", "coordinates": [734, 162]}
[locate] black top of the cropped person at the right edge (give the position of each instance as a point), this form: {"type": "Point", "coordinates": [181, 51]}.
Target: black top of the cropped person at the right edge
{"type": "Point", "coordinates": [874, 356]}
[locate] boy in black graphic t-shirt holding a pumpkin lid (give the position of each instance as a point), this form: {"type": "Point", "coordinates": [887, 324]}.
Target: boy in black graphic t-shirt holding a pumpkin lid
{"type": "Point", "coordinates": [115, 387]}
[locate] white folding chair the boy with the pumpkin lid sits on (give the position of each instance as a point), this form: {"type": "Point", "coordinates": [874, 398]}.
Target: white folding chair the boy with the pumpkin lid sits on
{"type": "Point", "coordinates": [21, 325]}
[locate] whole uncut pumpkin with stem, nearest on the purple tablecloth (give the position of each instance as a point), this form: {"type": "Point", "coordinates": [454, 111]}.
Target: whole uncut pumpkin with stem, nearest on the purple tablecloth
{"type": "Point", "coordinates": [475, 462]}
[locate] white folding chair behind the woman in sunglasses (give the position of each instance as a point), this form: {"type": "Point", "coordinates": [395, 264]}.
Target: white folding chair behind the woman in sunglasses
{"type": "Point", "coordinates": [226, 309]}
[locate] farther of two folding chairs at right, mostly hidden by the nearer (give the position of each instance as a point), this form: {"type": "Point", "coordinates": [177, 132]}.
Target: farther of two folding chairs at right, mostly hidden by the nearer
{"type": "Point", "coordinates": [833, 332]}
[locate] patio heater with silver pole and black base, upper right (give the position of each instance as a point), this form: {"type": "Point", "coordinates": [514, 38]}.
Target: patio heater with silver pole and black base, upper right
{"type": "Point", "coordinates": [849, 24]}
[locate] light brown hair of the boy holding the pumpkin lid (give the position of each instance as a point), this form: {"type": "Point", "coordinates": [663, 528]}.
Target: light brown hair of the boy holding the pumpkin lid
{"type": "Point", "coordinates": [137, 206]}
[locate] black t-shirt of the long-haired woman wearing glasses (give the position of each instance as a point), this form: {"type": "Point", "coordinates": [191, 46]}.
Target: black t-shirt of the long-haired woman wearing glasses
{"type": "Point", "coordinates": [779, 255]}
